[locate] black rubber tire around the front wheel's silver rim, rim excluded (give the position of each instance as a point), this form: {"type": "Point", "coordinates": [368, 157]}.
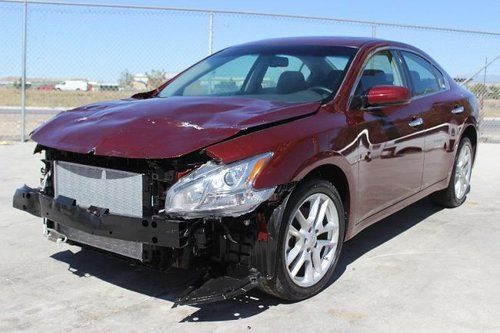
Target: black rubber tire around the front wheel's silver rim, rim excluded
{"type": "Point", "coordinates": [281, 285]}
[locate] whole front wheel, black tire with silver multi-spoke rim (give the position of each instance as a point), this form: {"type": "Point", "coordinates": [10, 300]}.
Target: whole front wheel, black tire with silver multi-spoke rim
{"type": "Point", "coordinates": [283, 284]}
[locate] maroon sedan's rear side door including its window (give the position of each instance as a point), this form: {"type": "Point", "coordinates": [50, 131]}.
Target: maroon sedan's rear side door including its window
{"type": "Point", "coordinates": [439, 108]}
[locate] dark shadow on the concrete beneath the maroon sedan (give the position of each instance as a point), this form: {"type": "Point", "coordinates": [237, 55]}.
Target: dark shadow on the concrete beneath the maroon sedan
{"type": "Point", "coordinates": [168, 285]}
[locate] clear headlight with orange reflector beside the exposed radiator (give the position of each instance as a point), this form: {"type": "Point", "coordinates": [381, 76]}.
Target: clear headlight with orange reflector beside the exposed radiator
{"type": "Point", "coordinates": [219, 190]}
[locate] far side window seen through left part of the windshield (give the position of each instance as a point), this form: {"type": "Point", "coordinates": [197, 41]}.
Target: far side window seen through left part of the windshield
{"type": "Point", "coordinates": [226, 79]}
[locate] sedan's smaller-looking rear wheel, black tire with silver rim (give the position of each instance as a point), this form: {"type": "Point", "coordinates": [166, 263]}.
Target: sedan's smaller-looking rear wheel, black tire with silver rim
{"type": "Point", "coordinates": [451, 196]}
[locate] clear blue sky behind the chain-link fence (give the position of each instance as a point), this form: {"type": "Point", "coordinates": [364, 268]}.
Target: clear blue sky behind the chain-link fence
{"type": "Point", "coordinates": [98, 44]}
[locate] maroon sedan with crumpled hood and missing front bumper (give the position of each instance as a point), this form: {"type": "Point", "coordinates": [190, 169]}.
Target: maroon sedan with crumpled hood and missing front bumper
{"type": "Point", "coordinates": [256, 164]}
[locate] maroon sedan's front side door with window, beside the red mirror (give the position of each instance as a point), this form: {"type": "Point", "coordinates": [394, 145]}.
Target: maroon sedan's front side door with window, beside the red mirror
{"type": "Point", "coordinates": [391, 165]}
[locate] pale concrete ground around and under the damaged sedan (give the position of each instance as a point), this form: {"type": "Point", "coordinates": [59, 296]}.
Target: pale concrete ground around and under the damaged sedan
{"type": "Point", "coordinates": [423, 269]}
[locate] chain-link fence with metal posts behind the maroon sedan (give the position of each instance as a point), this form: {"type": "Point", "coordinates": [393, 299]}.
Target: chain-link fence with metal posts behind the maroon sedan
{"type": "Point", "coordinates": [74, 54]}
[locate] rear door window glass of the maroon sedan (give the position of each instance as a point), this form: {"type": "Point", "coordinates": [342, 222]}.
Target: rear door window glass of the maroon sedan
{"type": "Point", "coordinates": [425, 78]}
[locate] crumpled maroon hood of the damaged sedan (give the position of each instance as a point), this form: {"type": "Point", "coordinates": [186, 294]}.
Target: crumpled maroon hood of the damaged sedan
{"type": "Point", "coordinates": [160, 127]}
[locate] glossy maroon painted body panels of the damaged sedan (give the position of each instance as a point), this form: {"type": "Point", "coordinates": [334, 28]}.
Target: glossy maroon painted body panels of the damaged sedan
{"type": "Point", "coordinates": [387, 163]}
